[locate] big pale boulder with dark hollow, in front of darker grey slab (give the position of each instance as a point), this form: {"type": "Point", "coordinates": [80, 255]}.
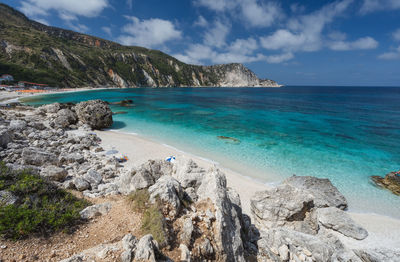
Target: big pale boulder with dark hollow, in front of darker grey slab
{"type": "Point", "coordinates": [284, 205]}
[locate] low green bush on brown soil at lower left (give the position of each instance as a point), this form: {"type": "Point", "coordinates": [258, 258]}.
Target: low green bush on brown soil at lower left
{"type": "Point", "coordinates": [41, 207]}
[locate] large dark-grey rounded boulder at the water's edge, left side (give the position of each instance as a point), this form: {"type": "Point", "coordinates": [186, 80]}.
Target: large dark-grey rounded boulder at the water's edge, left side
{"type": "Point", "coordinates": [95, 113]}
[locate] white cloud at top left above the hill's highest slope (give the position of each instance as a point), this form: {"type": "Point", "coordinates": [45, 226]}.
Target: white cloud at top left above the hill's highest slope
{"type": "Point", "coordinates": [88, 8]}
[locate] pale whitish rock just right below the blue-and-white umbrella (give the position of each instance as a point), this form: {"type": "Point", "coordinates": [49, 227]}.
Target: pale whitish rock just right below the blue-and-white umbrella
{"type": "Point", "coordinates": [189, 174]}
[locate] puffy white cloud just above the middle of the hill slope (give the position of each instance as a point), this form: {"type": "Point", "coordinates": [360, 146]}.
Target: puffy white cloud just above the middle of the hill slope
{"type": "Point", "coordinates": [149, 33]}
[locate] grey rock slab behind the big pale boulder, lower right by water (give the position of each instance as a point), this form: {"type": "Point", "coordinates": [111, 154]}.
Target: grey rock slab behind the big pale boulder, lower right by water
{"type": "Point", "coordinates": [325, 194]}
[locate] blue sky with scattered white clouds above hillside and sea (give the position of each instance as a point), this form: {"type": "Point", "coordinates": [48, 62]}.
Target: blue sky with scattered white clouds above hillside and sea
{"type": "Point", "coordinates": [313, 42]}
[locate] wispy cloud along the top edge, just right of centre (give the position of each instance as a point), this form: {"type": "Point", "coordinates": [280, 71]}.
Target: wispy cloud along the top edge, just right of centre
{"type": "Point", "coordinates": [253, 12]}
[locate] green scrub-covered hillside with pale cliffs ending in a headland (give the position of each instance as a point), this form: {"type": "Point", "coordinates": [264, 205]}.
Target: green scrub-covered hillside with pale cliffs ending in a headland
{"type": "Point", "coordinates": [35, 52]}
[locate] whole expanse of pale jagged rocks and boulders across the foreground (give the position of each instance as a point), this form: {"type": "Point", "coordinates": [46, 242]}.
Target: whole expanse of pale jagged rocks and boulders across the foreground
{"type": "Point", "coordinates": [302, 219]}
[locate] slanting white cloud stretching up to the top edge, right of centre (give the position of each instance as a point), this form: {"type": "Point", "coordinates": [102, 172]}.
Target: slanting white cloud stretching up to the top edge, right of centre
{"type": "Point", "coordinates": [305, 32]}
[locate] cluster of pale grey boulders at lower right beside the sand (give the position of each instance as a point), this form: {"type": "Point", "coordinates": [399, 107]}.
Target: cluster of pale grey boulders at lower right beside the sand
{"type": "Point", "coordinates": [298, 220]}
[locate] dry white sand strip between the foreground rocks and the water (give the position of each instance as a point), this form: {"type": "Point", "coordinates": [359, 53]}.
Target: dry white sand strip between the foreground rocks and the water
{"type": "Point", "coordinates": [383, 231]}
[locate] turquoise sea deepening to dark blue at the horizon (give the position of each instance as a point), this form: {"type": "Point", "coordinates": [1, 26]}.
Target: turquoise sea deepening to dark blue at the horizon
{"type": "Point", "coordinates": [345, 134]}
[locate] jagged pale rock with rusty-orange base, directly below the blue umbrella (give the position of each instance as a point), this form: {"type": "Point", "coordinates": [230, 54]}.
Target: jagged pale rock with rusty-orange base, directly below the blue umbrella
{"type": "Point", "coordinates": [169, 191]}
